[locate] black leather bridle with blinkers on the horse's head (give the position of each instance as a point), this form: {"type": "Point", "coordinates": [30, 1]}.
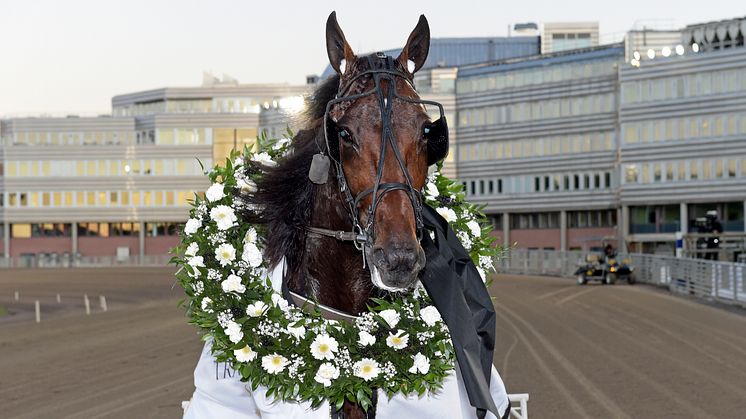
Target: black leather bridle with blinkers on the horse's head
{"type": "Point", "coordinates": [381, 68]}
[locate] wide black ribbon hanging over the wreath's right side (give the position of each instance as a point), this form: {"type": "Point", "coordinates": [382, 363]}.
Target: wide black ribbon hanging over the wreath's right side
{"type": "Point", "coordinates": [458, 292]}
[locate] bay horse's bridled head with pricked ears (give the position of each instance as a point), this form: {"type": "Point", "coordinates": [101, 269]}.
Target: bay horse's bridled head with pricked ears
{"type": "Point", "coordinates": [381, 138]}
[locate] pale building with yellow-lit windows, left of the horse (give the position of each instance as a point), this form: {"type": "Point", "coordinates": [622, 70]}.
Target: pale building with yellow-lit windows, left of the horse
{"type": "Point", "coordinates": [118, 186]}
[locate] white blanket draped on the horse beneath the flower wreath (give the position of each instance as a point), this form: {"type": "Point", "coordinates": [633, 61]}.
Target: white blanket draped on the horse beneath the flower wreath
{"type": "Point", "coordinates": [220, 393]}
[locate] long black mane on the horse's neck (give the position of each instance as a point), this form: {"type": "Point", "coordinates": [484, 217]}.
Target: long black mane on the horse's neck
{"type": "Point", "coordinates": [285, 193]}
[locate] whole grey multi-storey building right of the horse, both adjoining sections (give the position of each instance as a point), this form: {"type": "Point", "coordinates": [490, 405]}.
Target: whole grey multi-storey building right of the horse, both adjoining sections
{"type": "Point", "coordinates": [625, 144]}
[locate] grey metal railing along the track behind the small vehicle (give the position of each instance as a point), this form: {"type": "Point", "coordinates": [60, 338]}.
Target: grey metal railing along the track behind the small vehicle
{"type": "Point", "coordinates": [707, 279]}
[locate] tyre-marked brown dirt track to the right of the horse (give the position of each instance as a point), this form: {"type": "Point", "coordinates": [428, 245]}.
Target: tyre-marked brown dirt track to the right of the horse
{"type": "Point", "coordinates": [618, 351]}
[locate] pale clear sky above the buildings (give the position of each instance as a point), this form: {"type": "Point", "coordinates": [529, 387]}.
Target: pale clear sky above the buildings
{"type": "Point", "coordinates": [72, 56]}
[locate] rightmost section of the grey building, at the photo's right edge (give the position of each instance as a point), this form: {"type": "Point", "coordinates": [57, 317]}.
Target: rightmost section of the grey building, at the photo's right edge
{"type": "Point", "coordinates": [683, 145]}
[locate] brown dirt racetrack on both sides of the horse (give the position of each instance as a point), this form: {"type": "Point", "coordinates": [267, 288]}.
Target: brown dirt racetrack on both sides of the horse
{"type": "Point", "coordinates": [581, 352]}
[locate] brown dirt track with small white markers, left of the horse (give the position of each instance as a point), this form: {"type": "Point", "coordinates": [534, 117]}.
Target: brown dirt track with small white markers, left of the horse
{"type": "Point", "coordinates": [134, 361]}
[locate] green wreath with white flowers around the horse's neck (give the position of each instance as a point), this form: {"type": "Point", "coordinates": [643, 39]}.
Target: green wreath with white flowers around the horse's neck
{"type": "Point", "coordinates": [400, 345]}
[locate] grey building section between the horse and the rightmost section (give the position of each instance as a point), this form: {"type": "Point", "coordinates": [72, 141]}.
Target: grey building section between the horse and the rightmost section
{"type": "Point", "coordinates": [537, 145]}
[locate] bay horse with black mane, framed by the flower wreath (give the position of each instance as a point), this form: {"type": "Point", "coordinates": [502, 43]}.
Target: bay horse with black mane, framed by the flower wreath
{"type": "Point", "coordinates": [343, 208]}
